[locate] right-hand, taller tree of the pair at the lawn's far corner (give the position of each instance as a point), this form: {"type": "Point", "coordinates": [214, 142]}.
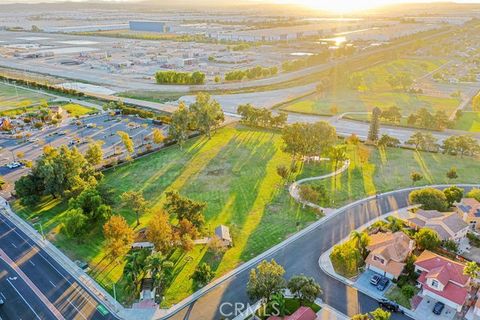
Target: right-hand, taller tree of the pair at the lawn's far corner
{"type": "Point", "coordinates": [207, 114]}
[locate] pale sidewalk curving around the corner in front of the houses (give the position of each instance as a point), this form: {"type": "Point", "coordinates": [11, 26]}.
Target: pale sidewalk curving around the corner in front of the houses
{"type": "Point", "coordinates": [327, 267]}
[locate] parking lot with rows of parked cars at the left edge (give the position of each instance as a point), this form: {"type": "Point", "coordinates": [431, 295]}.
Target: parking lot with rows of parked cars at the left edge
{"type": "Point", "coordinates": [79, 133]}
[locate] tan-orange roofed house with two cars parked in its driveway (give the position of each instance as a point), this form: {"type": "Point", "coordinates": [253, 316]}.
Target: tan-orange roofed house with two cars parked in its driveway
{"type": "Point", "coordinates": [388, 252]}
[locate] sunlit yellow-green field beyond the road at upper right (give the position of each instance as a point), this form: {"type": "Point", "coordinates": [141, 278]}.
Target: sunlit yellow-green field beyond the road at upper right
{"type": "Point", "coordinates": [376, 92]}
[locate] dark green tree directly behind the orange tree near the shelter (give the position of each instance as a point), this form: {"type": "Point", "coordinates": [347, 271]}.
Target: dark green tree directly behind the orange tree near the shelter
{"type": "Point", "coordinates": [185, 208]}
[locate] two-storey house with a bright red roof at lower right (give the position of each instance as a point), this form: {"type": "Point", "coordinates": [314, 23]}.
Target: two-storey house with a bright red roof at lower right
{"type": "Point", "coordinates": [442, 279]}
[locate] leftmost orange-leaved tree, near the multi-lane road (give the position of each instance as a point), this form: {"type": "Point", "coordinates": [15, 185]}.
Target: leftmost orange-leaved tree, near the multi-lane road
{"type": "Point", "coordinates": [118, 236]}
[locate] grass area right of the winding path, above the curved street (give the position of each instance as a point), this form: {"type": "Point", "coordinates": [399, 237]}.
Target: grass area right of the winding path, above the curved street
{"type": "Point", "coordinates": [379, 170]}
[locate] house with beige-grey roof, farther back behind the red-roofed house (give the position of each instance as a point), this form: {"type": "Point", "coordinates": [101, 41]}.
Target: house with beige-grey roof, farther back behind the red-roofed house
{"type": "Point", "coordinates": [449, 226]}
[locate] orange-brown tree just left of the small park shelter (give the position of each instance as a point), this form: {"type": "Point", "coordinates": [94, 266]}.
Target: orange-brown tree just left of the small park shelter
{"type": "Point", "coordinates": [160, 233]}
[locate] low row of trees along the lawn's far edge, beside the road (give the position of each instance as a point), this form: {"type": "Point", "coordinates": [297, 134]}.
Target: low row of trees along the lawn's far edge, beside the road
{"type": "Point", "coordinates": [261, 117]}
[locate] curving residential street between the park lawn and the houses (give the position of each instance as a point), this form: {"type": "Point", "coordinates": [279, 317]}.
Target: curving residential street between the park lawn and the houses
{"type": "Point", "coordinates": [301, 256]}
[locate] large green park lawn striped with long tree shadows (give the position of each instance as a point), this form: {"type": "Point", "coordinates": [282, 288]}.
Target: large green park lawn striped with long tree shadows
{"type": "Point", "coordinates": [234, 172]}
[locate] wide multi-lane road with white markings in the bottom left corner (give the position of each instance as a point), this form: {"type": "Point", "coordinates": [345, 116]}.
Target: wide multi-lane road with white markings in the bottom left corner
{"type": "Point", "coordinates": [46, 280]}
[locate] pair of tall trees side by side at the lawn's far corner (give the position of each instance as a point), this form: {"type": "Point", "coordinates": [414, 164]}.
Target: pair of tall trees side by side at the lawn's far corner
{"type": "Point", "coordinates": [204, 115]}
